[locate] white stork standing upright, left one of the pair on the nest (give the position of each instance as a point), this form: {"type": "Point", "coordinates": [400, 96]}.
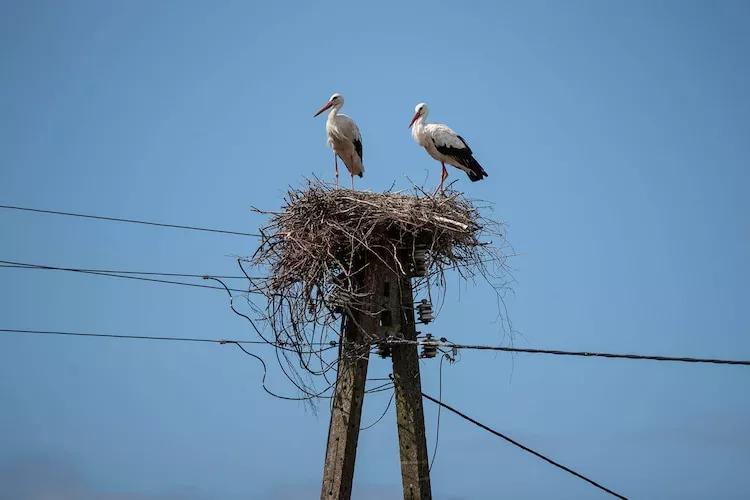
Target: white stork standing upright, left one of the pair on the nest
{"type": "Point", "coordinates": [343, 137]}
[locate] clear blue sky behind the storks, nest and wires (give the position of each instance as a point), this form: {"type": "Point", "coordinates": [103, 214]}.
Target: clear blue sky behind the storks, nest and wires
{"type": "Point", "coordinates": [616, 136]}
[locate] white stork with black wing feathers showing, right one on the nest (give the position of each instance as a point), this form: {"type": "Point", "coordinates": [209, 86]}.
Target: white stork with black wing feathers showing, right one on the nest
{"type": "Point", "coordinates": [444, 145]}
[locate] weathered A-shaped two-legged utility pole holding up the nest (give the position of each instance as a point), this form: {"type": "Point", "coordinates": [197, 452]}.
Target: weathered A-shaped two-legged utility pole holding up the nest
{"type": "Point", "coordinates": [391, 295]}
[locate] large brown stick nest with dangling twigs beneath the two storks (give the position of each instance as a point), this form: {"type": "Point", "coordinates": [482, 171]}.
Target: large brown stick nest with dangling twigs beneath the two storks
{"type": "Point", "coordinates": [312, 248]}
